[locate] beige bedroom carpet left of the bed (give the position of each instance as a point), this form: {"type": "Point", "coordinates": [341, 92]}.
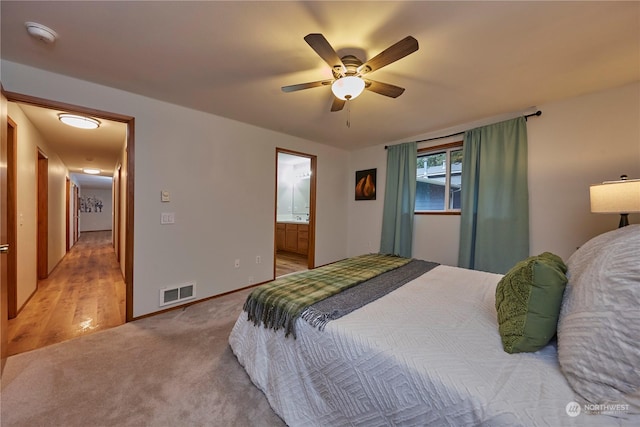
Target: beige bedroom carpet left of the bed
{"type": "Point", "coordinates": [173, 369]}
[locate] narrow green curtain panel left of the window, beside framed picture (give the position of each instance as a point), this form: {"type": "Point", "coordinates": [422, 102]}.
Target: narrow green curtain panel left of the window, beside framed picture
{"type": "Point", "coordinates": [399, 200]}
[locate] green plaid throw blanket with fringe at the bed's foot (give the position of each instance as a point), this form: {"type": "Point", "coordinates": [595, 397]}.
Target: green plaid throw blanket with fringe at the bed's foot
{"type": "Point", "coordinates": [279, 303]}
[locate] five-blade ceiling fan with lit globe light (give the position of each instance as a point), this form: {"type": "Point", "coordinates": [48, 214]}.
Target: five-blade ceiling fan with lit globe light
{"type": "Point", "coordinates": [348, 71]}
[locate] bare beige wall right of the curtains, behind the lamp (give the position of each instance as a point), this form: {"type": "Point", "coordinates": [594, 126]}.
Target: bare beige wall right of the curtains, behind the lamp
{"type": "Point", "coordinates": [575, 143]}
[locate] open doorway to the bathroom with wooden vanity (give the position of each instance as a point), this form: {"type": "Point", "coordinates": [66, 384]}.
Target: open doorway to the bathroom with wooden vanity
{"type": "Point", "coordinates": [295, 212]}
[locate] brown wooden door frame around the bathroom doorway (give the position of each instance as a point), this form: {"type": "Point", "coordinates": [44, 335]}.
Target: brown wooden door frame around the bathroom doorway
{"type": "Point", "coordinates": [311, 255]}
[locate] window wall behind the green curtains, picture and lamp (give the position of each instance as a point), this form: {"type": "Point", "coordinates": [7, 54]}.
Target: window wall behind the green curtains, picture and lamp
{"type": "Point", "coordinates": [575, 143]}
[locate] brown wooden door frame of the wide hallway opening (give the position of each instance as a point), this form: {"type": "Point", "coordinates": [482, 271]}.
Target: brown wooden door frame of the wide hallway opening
{"type": "Point", "coordinates": [130, 157]}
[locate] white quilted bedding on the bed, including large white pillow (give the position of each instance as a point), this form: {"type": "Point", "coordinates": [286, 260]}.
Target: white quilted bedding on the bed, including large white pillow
{"type": "Point", "coordinates": [430, 352]}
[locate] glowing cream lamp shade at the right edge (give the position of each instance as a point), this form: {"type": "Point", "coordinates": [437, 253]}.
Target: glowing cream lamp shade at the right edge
{"type": "Point", "coordinates": [616, 197]}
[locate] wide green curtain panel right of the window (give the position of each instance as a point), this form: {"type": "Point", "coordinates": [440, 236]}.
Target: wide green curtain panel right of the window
{"type": "Point", "coordinates": [494, 223]}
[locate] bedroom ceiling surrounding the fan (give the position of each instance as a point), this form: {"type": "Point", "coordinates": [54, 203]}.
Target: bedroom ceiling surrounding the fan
{"type": "Point", "coordinates": [476, 59]}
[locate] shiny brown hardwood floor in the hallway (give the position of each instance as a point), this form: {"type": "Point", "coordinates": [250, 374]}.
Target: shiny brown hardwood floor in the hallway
{"type": "Point", "coordinates": [85, 293]}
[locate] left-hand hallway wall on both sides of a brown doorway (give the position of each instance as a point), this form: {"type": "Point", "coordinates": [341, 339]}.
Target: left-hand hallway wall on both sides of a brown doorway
{"type": "Point", "coordinates": [29, 140]}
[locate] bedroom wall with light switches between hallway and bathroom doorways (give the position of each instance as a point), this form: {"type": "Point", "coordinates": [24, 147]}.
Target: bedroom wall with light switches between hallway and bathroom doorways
{"type": "Point", "coordinates": [221, 177]}
